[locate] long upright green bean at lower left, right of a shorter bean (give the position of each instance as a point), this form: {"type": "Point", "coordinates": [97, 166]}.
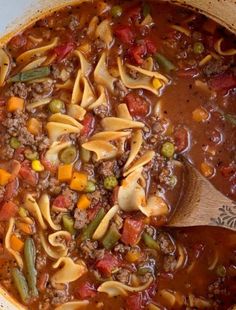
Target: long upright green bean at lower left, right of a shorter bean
{"type": "Point", "coordinates": [31, 272]}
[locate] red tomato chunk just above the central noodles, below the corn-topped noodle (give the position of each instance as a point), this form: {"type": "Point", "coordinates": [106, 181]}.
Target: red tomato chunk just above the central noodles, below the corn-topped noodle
{"type": "Point", "coordinates": [137, 105]}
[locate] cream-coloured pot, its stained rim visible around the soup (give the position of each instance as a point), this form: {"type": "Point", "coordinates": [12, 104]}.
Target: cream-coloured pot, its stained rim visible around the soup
{"type": "Point", "coordinates": [15, 15]}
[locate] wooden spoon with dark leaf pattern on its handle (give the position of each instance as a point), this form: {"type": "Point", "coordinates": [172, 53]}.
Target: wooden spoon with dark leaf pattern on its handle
{"type": "Point", "coordinates": [201, 204]}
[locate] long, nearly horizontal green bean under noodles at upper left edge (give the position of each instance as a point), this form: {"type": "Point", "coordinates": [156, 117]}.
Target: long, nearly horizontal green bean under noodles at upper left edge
{"type": "Point", "coordinates": [30, 75]}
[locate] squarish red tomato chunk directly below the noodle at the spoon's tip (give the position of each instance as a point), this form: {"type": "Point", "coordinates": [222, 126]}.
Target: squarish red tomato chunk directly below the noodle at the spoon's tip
{"type": "Point", "coordinates": [131, 231]}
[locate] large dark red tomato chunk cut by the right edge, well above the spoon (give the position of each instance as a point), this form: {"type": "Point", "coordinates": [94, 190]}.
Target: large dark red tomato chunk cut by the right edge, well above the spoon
{"type": "Point", "coordinates": [223, 82]}
